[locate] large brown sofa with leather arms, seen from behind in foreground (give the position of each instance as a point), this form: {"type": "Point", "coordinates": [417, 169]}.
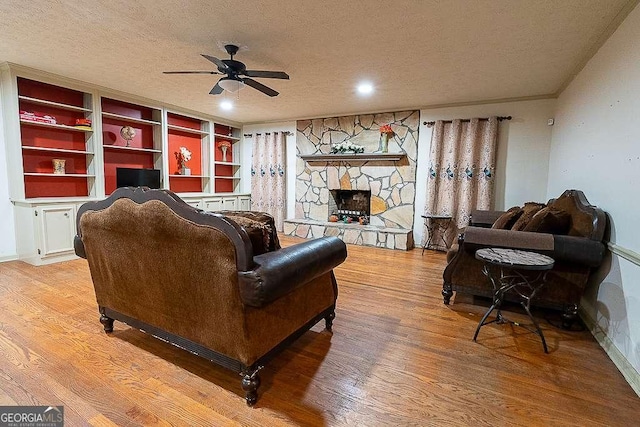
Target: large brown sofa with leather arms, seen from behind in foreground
{"type": "Point", "coordinates": [191, 278]}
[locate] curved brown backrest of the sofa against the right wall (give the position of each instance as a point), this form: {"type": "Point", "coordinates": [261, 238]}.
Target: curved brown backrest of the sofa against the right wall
{"type": "Point", "coordinates": [586, 220]}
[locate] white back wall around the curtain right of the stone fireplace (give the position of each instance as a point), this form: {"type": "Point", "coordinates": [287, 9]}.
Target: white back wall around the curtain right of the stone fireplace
{"type": "Point", "coordinates": [522, 155]}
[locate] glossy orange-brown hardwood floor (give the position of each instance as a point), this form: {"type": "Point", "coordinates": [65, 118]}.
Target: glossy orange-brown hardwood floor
{"type": "Point", "coordinates": [397, 356]}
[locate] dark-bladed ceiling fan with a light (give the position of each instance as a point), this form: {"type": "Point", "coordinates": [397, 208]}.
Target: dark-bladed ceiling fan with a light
{"type": "Point", "coordinates": [234, 70]}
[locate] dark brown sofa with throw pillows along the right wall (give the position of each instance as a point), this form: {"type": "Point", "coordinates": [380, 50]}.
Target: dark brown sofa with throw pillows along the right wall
{"type": "Point", "coordinates": [577, 251]}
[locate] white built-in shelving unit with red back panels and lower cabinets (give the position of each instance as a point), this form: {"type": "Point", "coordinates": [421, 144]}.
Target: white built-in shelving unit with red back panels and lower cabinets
{"type": "Point", "coordinates": [50, 121]}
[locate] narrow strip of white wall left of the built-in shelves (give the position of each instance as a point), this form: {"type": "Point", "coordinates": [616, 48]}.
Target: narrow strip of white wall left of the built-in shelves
{"type": "Point", "coordinates": [8, 249]}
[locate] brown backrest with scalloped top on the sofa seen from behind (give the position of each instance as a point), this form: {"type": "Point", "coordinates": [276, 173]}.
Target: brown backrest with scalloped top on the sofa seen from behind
{"type": "Point", "coordinates": [154, 258]}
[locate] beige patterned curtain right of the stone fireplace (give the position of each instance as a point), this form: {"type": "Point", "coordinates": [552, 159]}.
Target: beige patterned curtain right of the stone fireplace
{"type": "Point", "coordinates": [461, 171]}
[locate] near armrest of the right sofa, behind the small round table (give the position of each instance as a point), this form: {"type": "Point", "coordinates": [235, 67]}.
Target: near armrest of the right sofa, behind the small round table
{"type": "Point", "coordinates": [580, 250]}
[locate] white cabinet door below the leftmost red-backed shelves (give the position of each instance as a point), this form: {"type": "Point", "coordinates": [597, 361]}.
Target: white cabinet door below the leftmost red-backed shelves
{"type": "Point", "coordinates": [57, 229]}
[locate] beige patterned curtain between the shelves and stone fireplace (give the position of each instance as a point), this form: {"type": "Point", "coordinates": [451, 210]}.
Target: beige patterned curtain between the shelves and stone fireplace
{"type": "Point", "coordinates": [268, 177]}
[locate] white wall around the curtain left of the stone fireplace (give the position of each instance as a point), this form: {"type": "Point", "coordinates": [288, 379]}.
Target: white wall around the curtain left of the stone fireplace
{"type": "Point", "coordinates": [291, 158]}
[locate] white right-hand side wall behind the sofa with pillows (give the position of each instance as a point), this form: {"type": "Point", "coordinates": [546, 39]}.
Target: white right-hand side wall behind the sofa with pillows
{"type": "Point", "coordinates": [596, 148]}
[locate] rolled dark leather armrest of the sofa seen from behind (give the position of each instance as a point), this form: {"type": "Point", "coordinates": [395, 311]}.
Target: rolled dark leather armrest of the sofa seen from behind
{"type": "Point", "coordinates": [280, 272]}
